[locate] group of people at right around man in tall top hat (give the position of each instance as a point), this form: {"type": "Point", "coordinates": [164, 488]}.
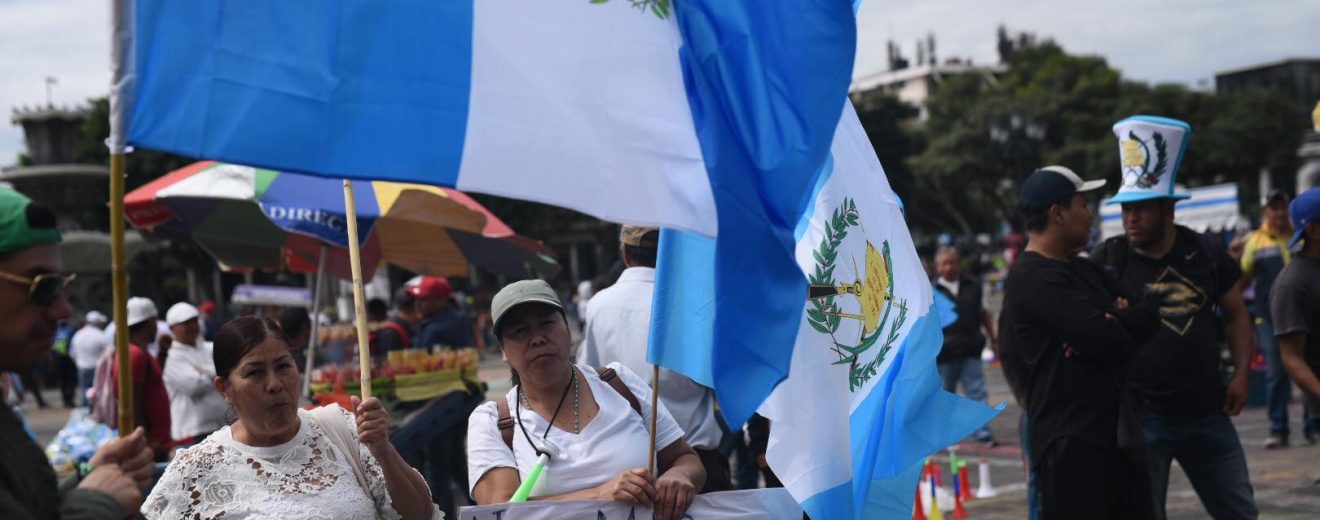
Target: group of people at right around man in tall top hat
{"type": "Point", "coordinates": [1116, 353]}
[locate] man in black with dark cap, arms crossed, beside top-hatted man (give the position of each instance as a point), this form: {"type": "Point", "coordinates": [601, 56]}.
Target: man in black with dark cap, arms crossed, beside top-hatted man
{"type": "Point", "coordinates": [1067, 336]}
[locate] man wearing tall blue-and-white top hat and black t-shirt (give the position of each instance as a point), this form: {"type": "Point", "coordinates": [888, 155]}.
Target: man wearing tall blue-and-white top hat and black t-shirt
{"type": "Point", "coordinates": [1177, 373]}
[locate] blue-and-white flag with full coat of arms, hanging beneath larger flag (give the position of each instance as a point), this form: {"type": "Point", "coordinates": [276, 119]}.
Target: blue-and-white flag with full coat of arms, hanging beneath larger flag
{"type": "Point", "coordinates": [863, 406]}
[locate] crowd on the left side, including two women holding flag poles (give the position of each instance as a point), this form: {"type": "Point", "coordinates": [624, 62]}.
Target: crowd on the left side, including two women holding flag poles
{"type": "Point", "coordinates": [220, 405]}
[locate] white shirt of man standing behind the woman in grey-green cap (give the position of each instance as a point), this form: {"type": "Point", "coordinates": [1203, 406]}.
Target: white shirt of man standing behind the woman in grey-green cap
{"type": "Point", "coordinates": [618, 328]}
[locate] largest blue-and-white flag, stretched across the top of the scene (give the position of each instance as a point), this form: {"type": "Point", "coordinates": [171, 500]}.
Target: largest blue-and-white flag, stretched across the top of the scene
{"type": "Point", "coordinates": [712, 117]}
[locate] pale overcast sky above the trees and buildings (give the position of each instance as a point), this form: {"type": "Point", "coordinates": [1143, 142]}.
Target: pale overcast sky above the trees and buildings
{"type": "Point", "coordinates": [1182, 42]}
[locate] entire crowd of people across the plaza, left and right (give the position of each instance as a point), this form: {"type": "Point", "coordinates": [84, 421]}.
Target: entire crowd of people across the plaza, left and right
{"type": "Point", "coordinates": [1113, 350]}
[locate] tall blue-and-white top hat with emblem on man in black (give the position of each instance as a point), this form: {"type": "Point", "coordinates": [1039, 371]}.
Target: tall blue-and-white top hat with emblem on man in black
{"type": "Point", "coordinates": [1150, 152]}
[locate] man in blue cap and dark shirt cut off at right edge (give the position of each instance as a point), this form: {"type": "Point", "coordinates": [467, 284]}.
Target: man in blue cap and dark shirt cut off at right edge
{"type": "Point", "coordinates": [1296, 302]}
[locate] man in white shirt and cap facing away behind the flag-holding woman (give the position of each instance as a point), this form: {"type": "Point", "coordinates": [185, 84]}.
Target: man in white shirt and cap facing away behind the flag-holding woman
{"type": "Point", "coordinates": [618, 324]}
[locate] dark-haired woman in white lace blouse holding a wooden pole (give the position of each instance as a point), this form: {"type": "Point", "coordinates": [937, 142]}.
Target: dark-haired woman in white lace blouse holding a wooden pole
{"type": "Point", "coordinates": [283, 463]}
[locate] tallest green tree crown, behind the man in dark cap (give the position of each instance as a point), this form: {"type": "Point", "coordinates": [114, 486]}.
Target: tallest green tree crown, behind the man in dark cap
{"type": "Point", "coordinates": [988, 135]}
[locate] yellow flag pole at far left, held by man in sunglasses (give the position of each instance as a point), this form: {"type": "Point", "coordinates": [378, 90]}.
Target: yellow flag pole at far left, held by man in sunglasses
{"type": "Point", "coordinates": [119, 288]}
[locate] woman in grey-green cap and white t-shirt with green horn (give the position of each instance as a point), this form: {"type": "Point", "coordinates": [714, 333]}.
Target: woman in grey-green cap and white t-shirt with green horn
{"type": "Point", "coordinates": [591, 420]}
